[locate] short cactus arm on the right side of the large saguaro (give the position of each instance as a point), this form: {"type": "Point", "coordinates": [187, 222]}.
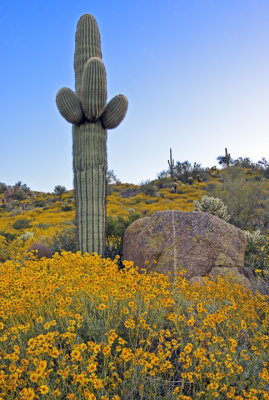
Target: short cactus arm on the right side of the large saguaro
{"type": "Point", "coordinates": [115, 112]}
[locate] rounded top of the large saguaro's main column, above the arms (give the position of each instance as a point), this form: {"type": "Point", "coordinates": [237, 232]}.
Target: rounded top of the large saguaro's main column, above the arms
{"type": "Point", "coordinates": [87, 45]}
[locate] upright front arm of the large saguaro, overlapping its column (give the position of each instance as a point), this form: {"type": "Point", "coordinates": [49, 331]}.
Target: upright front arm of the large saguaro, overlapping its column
{"type": "Point", "coordinates": [93, 89]}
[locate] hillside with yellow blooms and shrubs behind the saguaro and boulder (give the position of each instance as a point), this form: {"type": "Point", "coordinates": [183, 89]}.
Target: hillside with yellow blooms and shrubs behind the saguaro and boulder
{"type": "Point", "coordinates": [28, 217]}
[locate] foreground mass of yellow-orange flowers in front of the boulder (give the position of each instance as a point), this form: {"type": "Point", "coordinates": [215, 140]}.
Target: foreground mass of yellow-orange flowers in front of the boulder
{"type": "Point", "coordinates": [75, 327]}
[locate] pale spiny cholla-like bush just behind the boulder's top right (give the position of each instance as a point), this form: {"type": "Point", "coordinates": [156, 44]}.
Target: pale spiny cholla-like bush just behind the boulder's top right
{"type": "Point", "coordinates": [213, 206]}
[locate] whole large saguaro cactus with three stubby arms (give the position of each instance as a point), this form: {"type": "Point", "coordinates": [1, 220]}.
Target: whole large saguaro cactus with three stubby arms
{"type": "Point", "coordinates": [87, 110]}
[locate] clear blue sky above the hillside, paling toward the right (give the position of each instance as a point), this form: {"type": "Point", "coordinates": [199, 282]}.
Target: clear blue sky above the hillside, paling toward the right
{"type": "Point", "coordinates": [196, 74]}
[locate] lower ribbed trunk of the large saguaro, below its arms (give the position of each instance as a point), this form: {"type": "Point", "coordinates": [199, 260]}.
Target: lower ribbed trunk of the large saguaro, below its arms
{"type": "Point", "coordinates": [90, 164]}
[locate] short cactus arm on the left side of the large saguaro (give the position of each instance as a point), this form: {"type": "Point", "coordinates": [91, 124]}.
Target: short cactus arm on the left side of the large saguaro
{"type": "Point", "coordinates": [69, 106]}
